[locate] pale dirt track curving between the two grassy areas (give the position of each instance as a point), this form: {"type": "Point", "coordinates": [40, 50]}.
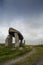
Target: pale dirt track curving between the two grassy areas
{"type": "Point", "coordinates": [21, 58]}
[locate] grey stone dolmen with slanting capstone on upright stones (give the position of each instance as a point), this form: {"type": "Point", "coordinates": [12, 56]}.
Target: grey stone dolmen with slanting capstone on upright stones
{"type": "Point", "coordinates": [17, 35]}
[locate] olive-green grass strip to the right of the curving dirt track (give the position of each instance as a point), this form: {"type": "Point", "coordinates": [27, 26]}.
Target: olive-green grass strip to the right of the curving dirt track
{"type": "Point", "coordinates": [34, 58]}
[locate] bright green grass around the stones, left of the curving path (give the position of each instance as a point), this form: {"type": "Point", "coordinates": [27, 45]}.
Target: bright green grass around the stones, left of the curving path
{"type": "Point", "coordinates": [8, 53]}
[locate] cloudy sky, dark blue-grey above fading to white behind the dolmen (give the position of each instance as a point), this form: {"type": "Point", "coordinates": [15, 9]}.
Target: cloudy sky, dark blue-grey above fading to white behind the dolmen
{"type": "Point", "coordinates": [23, 15]}
